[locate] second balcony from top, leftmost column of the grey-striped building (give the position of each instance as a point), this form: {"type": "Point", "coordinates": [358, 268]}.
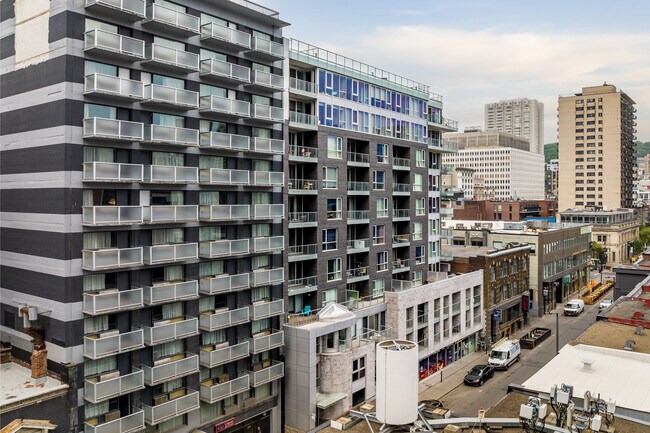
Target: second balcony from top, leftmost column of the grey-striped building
{"type": "Point", "coordinates": [113, 46]}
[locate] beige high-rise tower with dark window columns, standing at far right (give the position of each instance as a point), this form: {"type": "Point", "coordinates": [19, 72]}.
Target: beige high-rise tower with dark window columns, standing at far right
{"type": "Point", "coordinates": [596, 133]}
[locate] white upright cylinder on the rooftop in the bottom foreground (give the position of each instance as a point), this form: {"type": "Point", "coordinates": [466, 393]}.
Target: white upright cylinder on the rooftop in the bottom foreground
{"type": "Point", "coordinates": [397, 382]}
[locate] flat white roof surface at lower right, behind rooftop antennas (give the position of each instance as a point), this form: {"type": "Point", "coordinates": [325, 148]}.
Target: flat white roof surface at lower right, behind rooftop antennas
{"type": "Point", "coordinates": [617, 374]}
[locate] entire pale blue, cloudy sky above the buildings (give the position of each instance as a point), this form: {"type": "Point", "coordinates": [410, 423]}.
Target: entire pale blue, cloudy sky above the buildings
{"type": "Point", "coordinates": [476, 52]}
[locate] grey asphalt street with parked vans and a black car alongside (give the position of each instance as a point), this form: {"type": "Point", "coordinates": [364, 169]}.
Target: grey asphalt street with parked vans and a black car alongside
{"type": "Point", "coordinates": [466, 400]}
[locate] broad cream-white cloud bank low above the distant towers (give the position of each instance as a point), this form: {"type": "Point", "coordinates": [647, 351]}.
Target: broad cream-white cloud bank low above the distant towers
{"type": "Point", "coordinates": [473, 67]}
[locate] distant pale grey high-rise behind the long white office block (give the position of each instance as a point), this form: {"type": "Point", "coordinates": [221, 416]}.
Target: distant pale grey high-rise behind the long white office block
{"type": "Point", "coordinates": [522, 117]}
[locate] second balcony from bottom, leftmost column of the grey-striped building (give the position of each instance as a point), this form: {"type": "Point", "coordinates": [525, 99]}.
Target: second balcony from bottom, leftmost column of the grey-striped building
{"type": "Point", "coordinates": [109, 385]}
